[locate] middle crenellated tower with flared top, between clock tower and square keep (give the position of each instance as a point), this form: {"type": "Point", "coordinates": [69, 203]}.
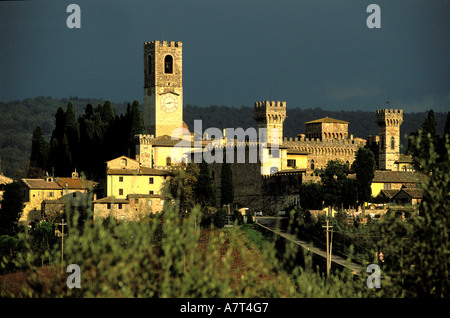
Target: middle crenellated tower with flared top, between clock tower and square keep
{"type": "Point", "coordinates": [271, 115]}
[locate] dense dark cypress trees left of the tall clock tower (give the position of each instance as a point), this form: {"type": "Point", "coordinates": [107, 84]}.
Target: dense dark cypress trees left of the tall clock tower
{"type": "Point", "coordinates": [87, 142]}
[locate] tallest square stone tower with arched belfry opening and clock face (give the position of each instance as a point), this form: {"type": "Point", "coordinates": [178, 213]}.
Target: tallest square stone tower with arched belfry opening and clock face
{"type": "Point", "coordinates": [163, 87]}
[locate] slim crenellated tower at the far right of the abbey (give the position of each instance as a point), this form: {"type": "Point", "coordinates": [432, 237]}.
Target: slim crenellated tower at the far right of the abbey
{"type": "Point", "coordinates": [389, 121]}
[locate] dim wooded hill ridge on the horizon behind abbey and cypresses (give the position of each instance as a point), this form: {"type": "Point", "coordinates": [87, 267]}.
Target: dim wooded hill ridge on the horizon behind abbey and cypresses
{"type": "Point", "coordinates": [18, 120]}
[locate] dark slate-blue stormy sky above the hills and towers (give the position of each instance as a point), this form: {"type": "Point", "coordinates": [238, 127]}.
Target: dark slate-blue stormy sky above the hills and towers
{"type": "Point", "coordinates": [235, 52]}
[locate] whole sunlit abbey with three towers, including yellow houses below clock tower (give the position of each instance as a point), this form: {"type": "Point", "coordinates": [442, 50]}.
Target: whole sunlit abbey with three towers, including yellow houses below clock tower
{"type": "Point", "coordinates": [271, 164]}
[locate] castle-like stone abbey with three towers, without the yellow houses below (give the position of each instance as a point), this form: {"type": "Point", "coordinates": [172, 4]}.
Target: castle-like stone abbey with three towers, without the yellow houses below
{"type": "Point", "coordinates": [296, 159]}
